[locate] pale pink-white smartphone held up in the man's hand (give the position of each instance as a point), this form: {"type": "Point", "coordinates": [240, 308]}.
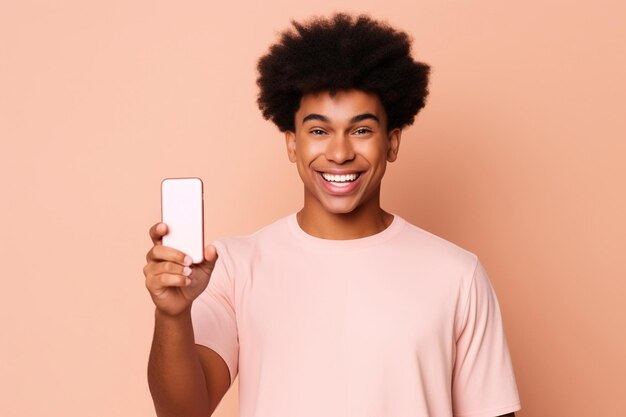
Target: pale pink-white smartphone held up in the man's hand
{"type": "Point", "coordinates": [182, 209]}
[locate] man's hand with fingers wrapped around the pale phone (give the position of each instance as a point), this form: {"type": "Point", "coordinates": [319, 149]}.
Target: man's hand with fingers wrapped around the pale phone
{"type": "Point", "coordinates": [171, 279]}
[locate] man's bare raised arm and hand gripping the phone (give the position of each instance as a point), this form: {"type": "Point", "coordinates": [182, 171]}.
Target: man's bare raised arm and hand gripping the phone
{"type": "Point", "coordinates": [185, 379]}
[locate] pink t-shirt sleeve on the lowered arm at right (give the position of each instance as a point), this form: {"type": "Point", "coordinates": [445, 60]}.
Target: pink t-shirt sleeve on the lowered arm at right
{"type": "Point", "coordinates": [483, 383]}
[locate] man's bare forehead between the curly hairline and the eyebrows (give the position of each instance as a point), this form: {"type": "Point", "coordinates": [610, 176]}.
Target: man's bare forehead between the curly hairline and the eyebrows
{"type": "Point", "coordinates": [344, 104]}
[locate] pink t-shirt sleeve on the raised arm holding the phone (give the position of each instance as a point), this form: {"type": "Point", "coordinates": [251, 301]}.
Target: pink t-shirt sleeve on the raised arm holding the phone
{"type": "Point", "coordinates": [213, 314]}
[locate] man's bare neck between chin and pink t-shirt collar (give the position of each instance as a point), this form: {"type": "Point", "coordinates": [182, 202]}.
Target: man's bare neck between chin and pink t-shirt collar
{"type": "Point", "coordinates": [364, 221]}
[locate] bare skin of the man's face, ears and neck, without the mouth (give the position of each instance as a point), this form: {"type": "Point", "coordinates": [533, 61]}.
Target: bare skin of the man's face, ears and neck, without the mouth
{"type": "Point", "coordinates": [345, 132]}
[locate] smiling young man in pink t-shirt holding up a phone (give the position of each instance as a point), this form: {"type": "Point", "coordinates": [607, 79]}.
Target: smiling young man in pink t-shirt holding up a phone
{"type": "Point", "coordinates": [340, 309]}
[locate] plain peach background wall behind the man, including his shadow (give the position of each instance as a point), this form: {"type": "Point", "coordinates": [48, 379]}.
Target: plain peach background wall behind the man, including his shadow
{"type": "Point", "coordinates": [518, 156]}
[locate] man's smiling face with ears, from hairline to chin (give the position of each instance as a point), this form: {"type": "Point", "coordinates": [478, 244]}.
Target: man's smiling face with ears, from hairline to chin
{"type": "Point", "coordinates": [341, 147]}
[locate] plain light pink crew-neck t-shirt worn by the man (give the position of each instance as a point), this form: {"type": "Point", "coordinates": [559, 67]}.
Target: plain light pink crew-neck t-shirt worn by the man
{"type": "Point", "coordinates": [398, 324]}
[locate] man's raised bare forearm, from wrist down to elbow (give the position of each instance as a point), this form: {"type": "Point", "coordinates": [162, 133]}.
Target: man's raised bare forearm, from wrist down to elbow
{"type": "Point", "coordinates": [175, 375]}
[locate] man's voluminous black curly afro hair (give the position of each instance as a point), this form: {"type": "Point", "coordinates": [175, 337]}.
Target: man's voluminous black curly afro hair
{"type": "Point", "coordinates": [342, 52]}
